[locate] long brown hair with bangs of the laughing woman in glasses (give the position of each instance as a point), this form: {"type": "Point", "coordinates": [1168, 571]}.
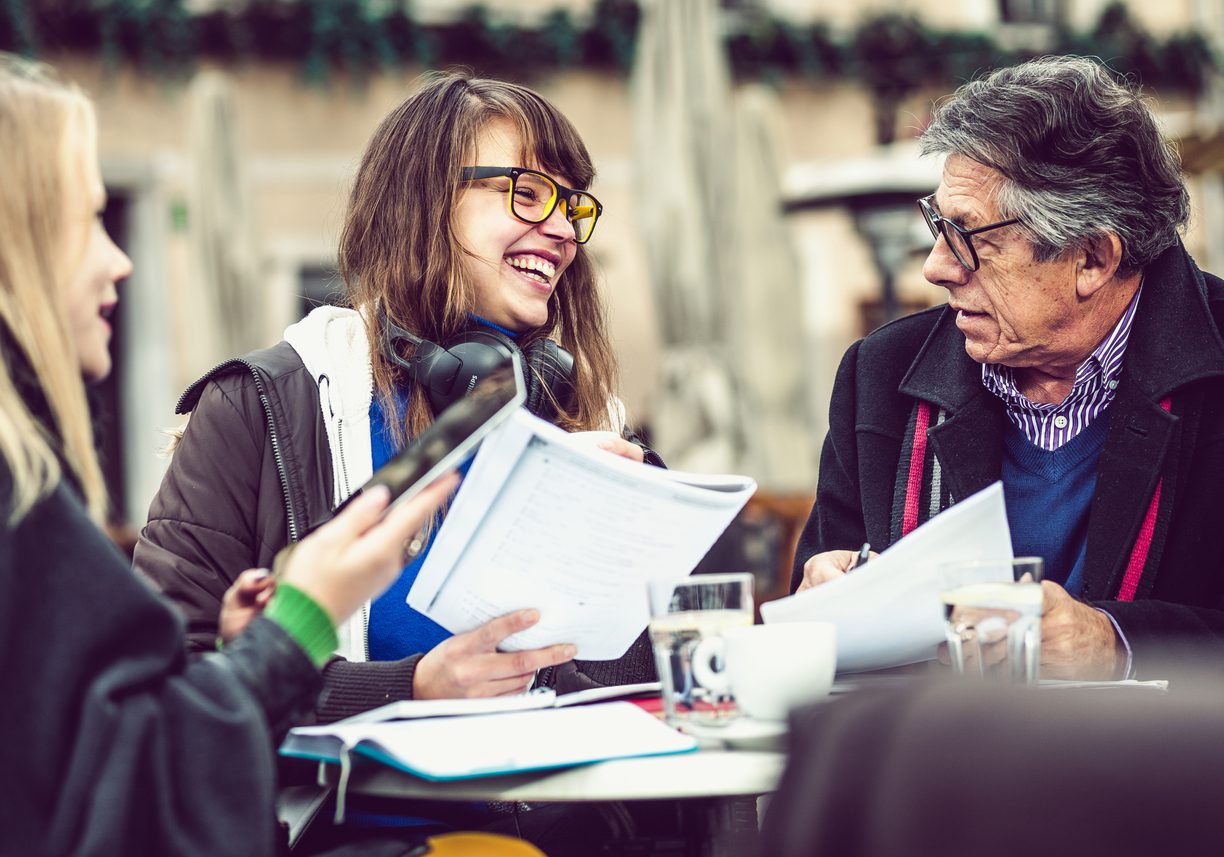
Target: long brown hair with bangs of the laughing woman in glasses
{"type": "Point", "coordinates": [400, 249]}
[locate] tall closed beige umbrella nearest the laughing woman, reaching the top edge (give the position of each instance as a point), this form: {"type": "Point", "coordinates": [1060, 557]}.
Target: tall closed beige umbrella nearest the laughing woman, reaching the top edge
{"type": "Point", "coordinates": [684, 155]}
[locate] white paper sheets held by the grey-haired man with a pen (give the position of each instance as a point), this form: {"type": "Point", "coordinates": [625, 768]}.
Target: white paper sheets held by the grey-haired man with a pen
{"type": "Point", "coordinates": [888, 613]}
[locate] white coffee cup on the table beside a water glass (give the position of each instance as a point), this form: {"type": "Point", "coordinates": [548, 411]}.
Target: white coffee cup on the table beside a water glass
{"type": "Point", "coordinates": [771, 669]}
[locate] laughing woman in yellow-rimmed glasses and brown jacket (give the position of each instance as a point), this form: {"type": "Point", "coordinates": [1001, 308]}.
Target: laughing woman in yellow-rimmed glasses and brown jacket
{"type": "Point", "coordinates": [468, 221]}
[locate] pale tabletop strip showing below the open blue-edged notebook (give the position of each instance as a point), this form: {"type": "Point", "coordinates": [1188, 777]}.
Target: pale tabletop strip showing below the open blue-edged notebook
{"type": "Point", "coordinates": [703, 774]}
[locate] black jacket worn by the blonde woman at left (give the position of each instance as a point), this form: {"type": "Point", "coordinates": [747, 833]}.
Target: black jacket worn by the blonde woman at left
{"type": "Point", "coordinates": [114, 741]}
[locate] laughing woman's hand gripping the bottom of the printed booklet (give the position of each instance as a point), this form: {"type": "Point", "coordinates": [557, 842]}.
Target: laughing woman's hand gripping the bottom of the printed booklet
{"type": "Point", "coordinates": [471, 665]}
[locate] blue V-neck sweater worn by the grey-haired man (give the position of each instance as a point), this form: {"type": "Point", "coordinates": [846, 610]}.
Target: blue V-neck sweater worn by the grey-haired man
{"type": "Point", "coordinates": [1050, 496]}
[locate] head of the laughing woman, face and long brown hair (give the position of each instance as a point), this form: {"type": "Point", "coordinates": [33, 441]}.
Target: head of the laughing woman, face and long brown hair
{"type": "Point", "coordinates": [435, 250]}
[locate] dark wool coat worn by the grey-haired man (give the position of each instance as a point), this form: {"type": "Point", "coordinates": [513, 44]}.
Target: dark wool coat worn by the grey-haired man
{"type": "Point", "coordinates": [1174, 350]}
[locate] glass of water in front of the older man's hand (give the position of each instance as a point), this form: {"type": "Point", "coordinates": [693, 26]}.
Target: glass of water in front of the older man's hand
{"type": "Point", "coordinates": [993, 618]}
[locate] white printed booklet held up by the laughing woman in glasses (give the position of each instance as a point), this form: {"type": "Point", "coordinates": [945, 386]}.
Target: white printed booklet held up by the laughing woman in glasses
{"type": "Point", "coordinates": [545, 522]}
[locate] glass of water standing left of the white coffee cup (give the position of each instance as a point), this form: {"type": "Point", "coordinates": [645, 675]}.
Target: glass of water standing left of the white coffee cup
{"type": "Point", "coordinates": [684, 616]}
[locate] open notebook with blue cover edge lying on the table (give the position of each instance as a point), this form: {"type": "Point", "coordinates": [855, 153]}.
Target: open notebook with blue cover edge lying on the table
{"type": "Point", "coordinates": [488, 745]}
